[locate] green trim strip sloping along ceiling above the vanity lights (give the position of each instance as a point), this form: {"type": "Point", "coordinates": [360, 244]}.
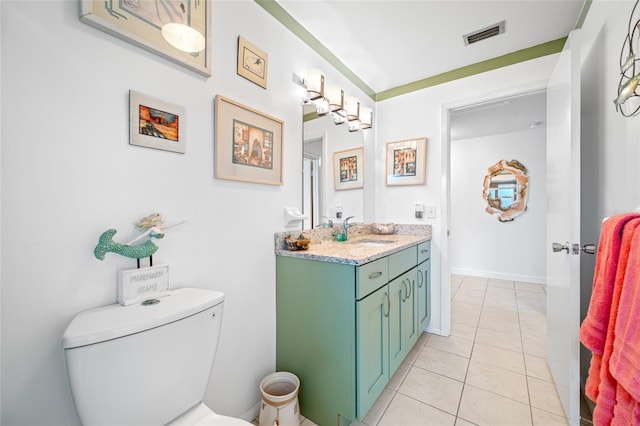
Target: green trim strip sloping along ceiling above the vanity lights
{"type": "Point", "coordinates": [294, 26]}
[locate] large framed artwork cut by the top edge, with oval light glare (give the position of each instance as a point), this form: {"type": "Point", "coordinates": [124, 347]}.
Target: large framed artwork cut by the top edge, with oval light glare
{"type": "Point", "coordinates": [140, 22]}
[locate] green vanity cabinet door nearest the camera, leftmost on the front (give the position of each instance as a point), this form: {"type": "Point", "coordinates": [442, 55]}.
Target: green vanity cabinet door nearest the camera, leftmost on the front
{"type": "Point", "coordinates": [373, 347]}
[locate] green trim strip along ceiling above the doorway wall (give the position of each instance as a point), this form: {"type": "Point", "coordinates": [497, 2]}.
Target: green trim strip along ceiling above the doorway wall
{"type": "Point", "coordinates": [529, 53]}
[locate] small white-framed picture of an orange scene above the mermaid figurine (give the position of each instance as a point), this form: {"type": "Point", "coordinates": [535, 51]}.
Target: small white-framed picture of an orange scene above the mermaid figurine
{"type": "Point", "coordinates": [154, 123]}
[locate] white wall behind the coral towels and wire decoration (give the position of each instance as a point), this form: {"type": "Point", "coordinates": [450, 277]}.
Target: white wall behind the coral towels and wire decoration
{"type": "Point", "coordinates": [610, 148]}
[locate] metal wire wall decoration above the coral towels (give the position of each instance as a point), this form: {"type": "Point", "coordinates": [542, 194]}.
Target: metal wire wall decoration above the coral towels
{"type": "Point", "coordinates": [629, 73]}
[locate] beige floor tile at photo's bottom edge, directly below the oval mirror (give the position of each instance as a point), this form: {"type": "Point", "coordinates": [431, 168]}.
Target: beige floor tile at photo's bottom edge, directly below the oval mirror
{"type": "Point", "coordinates": [482, 407]}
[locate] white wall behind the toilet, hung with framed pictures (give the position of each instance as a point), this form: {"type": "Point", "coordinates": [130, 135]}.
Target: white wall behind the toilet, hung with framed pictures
{"type": "Point", "coordinates": [68, 174]}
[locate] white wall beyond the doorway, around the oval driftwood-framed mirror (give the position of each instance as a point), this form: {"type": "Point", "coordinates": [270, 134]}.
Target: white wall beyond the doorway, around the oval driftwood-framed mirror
{"type": "Point", "coordinates": [480, 244]}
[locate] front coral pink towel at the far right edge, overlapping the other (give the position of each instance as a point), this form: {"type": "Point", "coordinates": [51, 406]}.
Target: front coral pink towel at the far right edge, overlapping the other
{"type": "Point", "coordinates": [625, 359]}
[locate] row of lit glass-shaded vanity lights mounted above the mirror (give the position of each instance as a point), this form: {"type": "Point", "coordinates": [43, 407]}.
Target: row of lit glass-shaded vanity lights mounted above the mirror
{"type": "Point", "coordinates": [333, 101]}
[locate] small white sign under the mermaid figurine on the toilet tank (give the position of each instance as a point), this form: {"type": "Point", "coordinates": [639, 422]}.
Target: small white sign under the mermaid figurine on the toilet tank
{"type": "Point", "coordinates": [138, 285]}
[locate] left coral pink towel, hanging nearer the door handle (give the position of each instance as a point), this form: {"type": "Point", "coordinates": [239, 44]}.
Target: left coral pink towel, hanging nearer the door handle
{"type": "Point", "coordinates": [593, 332]}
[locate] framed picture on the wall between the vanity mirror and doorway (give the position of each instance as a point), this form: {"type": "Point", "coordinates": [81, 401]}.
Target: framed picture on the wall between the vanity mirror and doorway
{"type": "Point", "coordinates": [406, 162]}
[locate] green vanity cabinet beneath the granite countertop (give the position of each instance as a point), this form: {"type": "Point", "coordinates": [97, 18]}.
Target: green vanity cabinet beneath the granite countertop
{"type": "Point", "coordinates": [344, 328]}
